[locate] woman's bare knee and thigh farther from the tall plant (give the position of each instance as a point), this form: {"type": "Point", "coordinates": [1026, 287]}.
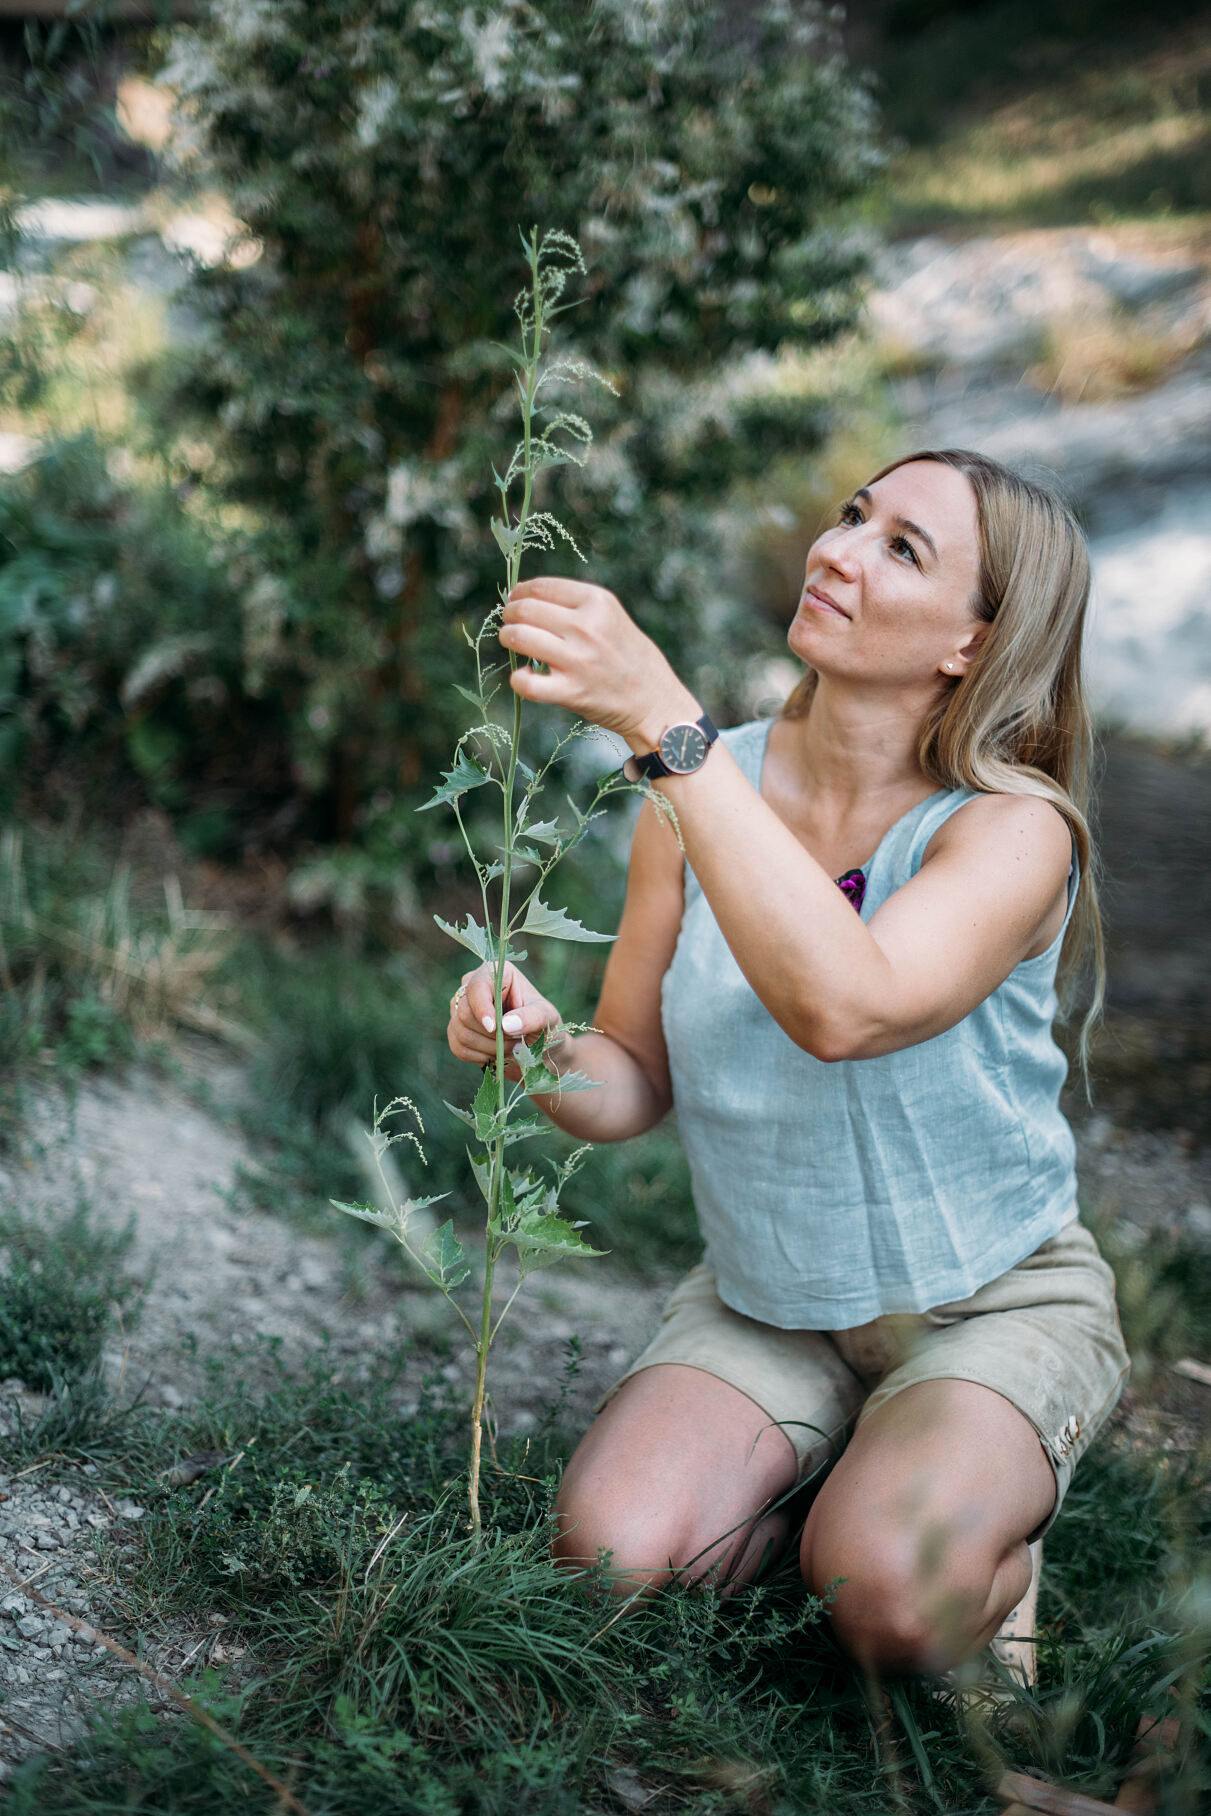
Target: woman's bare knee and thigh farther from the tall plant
{"type": "Point", "coordinates": [927, 1519]}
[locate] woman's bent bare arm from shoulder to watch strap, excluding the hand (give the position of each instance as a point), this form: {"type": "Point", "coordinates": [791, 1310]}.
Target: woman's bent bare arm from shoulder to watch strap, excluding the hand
{"type": "Point", "coordinates": [992, 885]}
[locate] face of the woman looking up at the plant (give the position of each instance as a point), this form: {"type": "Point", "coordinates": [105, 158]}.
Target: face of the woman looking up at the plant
{"type": "Point", "coordinates": [889, 589]}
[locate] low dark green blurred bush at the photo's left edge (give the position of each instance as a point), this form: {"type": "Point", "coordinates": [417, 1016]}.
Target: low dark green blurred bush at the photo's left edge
{"type": "Point", "coordinates": [121, 638]}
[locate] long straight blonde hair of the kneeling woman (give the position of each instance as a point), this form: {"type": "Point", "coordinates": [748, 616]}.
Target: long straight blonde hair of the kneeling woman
{"type": "Point", "coordinates": [1018, 720]}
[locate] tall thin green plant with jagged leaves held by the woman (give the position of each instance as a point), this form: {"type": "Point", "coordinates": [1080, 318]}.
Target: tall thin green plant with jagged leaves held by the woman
{"type": "Point", "coordinates": [522, 1205]}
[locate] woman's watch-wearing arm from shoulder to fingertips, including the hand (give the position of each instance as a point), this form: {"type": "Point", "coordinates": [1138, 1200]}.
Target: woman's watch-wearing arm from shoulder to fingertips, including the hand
{"type": "Point", "coordinates": [840, 987]}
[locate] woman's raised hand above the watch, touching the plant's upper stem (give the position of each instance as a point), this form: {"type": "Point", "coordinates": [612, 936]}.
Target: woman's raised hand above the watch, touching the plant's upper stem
{"type": "Point", "coordinates": [600, 662]}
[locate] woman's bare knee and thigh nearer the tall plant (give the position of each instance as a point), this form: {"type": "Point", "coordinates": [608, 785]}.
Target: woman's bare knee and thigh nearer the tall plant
{"type": "Point", "coordinates": [674, 1477]}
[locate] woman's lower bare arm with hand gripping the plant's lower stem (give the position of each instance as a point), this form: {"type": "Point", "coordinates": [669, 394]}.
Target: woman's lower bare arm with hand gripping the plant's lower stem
{"type": "Point", "coordinates": [627, 1051]}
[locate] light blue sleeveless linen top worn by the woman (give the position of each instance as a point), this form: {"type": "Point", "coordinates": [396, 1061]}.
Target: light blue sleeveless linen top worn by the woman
{"type": "Point", "coordinates": [832, 1194]}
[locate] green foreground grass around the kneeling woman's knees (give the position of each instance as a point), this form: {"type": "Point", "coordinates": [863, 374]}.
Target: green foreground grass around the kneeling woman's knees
{"type": "Point", "coordinates": [379, 1661]}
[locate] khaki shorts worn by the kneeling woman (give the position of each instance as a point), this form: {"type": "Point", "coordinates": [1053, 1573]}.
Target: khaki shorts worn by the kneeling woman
{"type": "Point", "coordinates": [1045, 1336]}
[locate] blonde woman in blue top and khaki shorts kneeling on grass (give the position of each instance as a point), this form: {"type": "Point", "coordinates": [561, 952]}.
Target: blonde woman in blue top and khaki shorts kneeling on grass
{"type": "Point", "coordinates": [869, 1101]}
